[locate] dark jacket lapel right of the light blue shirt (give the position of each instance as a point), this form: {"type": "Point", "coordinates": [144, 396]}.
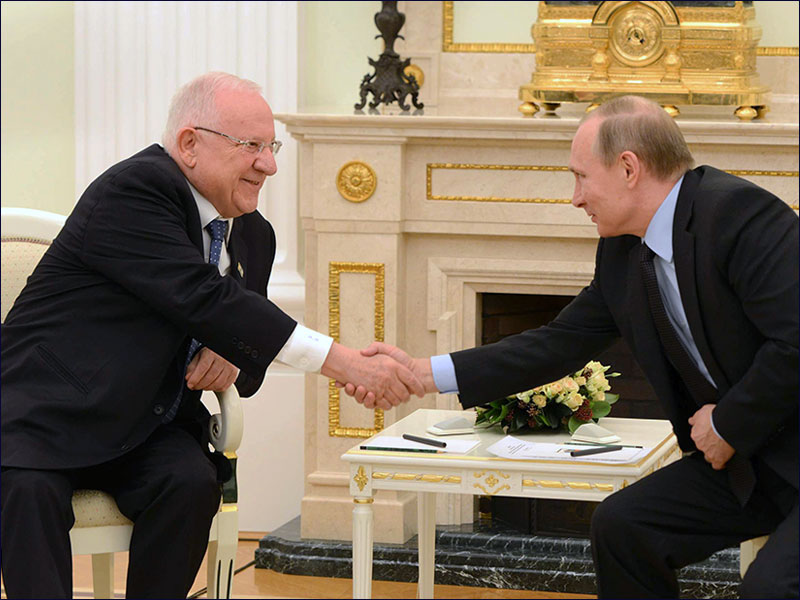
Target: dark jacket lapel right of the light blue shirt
{"type": "Point", "coordinates": [683, 247]}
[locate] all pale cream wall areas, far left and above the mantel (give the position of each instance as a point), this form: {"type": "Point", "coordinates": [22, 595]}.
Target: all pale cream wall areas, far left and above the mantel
{"type": "Point", "coordinates": [38, 154]}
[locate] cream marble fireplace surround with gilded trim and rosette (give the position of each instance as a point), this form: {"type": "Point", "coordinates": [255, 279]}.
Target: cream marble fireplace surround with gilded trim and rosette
{"type": "Point", "coordinates": [462, 204]}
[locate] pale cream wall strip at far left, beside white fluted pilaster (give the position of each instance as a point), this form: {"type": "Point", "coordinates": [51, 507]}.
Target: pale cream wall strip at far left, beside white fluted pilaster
{"type": "Point", "coordinates": [38, 155]}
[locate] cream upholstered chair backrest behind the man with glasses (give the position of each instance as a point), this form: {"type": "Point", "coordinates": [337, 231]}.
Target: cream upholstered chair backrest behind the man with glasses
{"type": "Point", "coordinates": [26, 234]}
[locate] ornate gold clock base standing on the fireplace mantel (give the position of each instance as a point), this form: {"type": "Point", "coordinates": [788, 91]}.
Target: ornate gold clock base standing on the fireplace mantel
{"type": "Point", "coordinates": [675, 53]}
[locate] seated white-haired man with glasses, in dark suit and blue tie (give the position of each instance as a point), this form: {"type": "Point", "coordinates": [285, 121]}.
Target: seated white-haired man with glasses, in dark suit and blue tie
{"type": "Point", "coordinates": [154, 290]}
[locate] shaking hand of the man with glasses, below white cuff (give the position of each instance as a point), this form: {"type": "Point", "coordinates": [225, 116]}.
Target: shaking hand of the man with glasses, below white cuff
{"type": "Point", "coordinates": [386, 382]}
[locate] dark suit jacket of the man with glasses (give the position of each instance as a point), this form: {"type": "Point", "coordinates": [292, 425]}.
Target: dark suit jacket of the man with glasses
{"type": "Point", "coordinates": [94, 348]}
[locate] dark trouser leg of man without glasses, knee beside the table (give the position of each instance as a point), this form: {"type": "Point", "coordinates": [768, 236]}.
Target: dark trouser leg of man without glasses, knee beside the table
{"type": "Point", "coordinates": [679, 515]}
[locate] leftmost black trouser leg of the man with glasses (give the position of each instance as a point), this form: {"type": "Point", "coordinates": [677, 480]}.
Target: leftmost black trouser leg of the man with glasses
{"type": "Point", "coordinates": [36, 519]}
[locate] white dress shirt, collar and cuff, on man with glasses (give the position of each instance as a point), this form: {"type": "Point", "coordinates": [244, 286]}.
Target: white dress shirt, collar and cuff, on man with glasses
{"type": "Point", "coordinates": [305, 349]}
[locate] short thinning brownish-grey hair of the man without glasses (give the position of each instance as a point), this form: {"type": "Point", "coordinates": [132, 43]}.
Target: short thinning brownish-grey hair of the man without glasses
{"type": "Point", "coordinates": [638, 125]}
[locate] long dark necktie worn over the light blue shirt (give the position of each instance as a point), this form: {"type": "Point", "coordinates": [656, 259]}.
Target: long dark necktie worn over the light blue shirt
{"type": "Point", "coordinates": [740, 470]}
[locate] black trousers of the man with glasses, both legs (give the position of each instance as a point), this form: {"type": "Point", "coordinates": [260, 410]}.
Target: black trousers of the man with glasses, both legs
{"type": "Point", "coordinates": [167, 486]}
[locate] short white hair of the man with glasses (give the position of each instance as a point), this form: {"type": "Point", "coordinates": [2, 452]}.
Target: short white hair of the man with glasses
{"type": "Point", "coordinates": [195, 103]}
